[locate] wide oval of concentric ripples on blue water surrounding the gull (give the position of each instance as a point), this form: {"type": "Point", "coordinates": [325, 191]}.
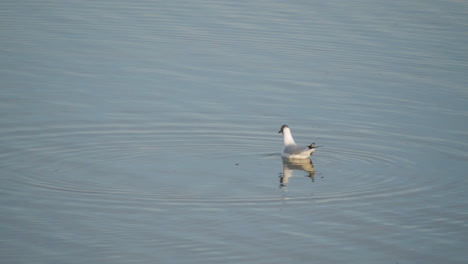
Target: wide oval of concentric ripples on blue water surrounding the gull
{"type": "Point", "coordinates": [62, 155]}
